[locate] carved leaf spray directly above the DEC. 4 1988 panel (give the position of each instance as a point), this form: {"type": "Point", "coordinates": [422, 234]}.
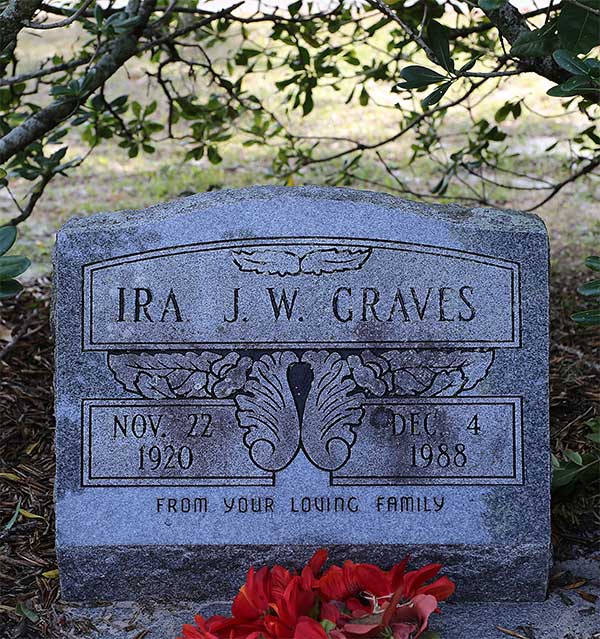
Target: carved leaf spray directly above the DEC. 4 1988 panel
{"type": "Point", "coordinates": [425, 373]}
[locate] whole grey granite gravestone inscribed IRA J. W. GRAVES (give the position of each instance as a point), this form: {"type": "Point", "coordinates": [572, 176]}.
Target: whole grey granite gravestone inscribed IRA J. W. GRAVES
{"type": "Point", "coordinates": [245, 376]}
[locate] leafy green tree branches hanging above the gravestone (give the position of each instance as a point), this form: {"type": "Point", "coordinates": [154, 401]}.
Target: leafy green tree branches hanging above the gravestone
{"type": "Point", "coordinates": [434, 57]}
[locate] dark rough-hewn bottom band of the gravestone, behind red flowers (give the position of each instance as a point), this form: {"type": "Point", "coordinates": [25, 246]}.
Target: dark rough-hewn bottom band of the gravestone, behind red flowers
{"type": "Point", "coordinates": [481, 573]}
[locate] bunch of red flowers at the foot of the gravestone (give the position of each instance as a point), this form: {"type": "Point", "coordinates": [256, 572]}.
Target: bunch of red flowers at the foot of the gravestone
{"type": "Point", "coordinates": [347, 602]}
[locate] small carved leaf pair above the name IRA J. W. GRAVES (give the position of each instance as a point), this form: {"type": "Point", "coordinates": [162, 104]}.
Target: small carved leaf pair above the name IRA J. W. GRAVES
{"type": "Point", "coordinates": [315, 262]}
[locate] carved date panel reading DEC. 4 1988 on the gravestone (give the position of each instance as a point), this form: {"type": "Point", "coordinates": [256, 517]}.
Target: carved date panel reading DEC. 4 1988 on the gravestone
{"type": "Point", "coordinates": [469, 440]}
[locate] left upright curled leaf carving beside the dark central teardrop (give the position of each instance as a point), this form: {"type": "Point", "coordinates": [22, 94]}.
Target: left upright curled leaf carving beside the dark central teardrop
{"type": "Point", "coordinates": [268, 412]}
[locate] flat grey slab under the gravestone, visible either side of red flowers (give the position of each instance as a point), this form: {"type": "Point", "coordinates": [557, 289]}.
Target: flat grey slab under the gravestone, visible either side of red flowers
{"type": "Point", "coordinates": [564, 615]}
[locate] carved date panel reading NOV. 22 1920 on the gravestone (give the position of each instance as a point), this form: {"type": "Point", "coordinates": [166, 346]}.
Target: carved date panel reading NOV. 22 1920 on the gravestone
{"type": "Point", "coordinates": [153, 443]}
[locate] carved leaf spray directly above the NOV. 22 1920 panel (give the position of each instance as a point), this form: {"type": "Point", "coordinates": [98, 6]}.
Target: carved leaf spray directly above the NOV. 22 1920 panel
{"type": "Point", "coordinates": [180, 375]}
